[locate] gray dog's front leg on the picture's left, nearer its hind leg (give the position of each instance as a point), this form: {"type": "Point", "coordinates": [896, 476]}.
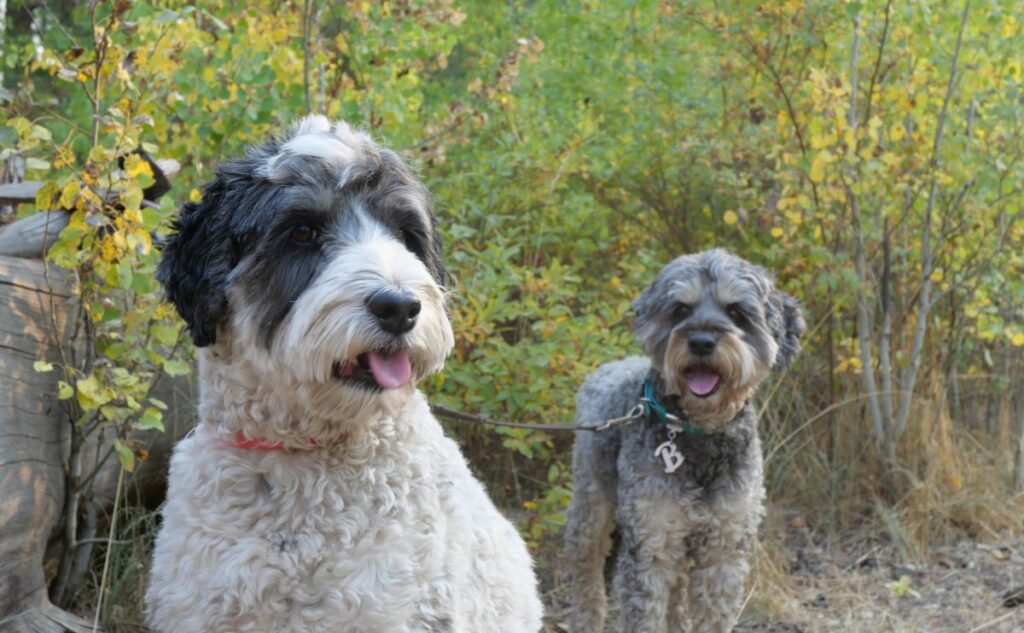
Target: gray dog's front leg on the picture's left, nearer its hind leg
{"type": "Point", "coordinates": [649, 566]}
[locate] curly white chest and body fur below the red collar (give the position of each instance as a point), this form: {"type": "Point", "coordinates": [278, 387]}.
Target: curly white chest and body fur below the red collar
{"type": "Point", "coordinates": [394, 534]}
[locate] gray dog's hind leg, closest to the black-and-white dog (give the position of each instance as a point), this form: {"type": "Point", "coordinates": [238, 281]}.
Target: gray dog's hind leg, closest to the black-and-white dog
{"type": "Point", "coordinates": [588, 539]}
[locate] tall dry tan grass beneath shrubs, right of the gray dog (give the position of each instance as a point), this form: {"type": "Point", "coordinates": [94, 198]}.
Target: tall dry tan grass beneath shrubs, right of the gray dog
{"type": "Point", "coordinates": [952, 482]}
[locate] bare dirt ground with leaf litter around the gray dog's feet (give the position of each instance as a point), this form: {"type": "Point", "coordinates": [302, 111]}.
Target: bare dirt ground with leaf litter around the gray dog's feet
{"type": "Point", "coordinates": [801, 586]}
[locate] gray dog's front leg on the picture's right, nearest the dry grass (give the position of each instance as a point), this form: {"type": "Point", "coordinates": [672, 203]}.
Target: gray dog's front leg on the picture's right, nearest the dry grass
{"type": "Point", "coordinates": [720, 567]}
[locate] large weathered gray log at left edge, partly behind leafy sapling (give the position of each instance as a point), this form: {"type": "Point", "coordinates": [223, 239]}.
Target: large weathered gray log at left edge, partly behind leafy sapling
{"type": "Point", "coordinates": [35, 442]}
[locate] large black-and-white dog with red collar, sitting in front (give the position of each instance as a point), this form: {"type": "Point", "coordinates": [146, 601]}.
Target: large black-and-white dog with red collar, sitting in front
{"type": "Point", "coordinates": [318, 492]}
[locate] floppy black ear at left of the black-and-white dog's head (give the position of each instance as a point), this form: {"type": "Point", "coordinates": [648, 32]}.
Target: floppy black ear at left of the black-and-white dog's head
{"type": "Point", "coordinates": [196, 263]}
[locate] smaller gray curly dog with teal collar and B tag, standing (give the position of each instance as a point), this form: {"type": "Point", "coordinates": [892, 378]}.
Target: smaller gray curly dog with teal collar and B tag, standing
{"type": "Point", "coordinates": [685, 484]}
